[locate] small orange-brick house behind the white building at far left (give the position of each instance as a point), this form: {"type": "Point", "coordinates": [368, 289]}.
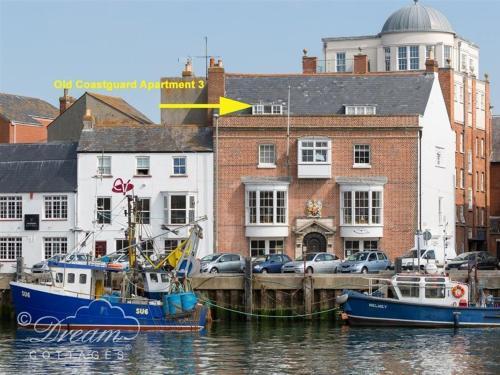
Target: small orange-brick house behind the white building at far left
{"type": "Point", "coordinates": [24, 119]}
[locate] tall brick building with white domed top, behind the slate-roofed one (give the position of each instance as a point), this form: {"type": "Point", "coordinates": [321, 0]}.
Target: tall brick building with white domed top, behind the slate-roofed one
{"type": "Point", "coordinates": [408, 37]}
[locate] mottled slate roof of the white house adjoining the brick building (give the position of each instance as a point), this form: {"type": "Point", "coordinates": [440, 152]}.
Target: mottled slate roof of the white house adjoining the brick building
{"type": "Point", "coordinates": [153, 138]}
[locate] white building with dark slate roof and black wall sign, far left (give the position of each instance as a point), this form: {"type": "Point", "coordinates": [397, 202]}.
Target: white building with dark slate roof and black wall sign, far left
{"type": "Point", "coordinates": [37, 202]}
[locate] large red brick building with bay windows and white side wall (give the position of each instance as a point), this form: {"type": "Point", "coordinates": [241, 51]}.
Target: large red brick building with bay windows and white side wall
{"type": "Point", "coordinates": [338, 169]}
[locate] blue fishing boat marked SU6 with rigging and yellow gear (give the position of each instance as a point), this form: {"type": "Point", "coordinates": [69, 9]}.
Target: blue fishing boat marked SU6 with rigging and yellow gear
{"type": "Point", "coordinates": [101, 295]}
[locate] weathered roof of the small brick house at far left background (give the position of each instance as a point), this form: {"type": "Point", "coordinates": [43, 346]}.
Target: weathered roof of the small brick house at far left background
{"type": "Point", "coordinates": [23, 109]}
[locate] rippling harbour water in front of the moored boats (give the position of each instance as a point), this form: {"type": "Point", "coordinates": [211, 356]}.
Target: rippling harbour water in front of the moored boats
{"type": "Point", "coordinates": [260, 347]}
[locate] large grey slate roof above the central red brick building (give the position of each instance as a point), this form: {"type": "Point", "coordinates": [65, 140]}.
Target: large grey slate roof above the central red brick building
{"type": "Point", "coordinates": [328, 94]}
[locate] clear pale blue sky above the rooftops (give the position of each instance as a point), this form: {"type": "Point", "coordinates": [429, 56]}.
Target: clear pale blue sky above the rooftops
{"type": "Point", "coordinates": [44, 41]}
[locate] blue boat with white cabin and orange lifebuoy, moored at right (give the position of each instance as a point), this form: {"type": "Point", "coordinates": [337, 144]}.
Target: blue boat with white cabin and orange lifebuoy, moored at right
{"type": "Point", "coordinates": [417, 300]}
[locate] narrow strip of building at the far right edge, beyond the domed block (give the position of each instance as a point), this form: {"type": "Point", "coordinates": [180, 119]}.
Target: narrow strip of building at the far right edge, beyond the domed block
{"type": "Point", "coordinates": [494, 236]}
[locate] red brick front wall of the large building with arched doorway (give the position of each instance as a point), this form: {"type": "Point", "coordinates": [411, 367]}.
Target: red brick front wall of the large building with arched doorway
{"type": "Point", "coordinates": [393, 142]}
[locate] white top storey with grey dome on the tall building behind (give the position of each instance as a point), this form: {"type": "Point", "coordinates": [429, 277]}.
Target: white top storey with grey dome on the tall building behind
{"type": "Point", "coordinates": [407, 38]}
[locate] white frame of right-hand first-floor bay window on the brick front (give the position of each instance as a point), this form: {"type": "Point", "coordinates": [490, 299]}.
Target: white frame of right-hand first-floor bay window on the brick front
{"type": "Point", "coordinates": [352, 209]}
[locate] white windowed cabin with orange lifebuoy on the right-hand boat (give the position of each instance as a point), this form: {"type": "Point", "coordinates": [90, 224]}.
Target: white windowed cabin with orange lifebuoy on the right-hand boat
{"type": "Point", "coordinates": [430, 289]}
